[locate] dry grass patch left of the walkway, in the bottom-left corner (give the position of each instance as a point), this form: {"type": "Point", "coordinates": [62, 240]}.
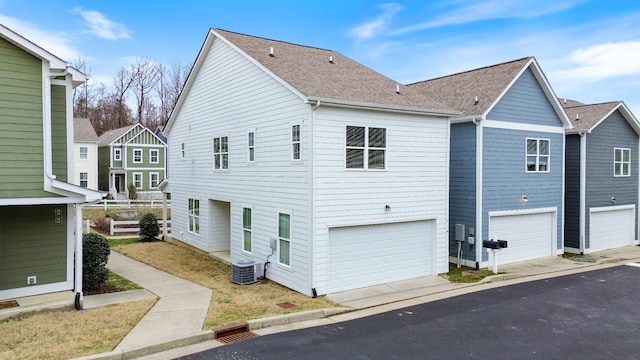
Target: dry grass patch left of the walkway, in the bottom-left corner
{"type": "Point", "coordinates": [69, 333]}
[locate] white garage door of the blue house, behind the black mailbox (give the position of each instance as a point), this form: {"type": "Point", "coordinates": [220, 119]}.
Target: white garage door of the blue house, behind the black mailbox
{"type": "Point", "coordinates": [529, 236]}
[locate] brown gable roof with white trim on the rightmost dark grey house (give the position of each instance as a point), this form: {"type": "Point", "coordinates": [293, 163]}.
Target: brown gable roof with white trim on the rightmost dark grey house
{"type": "Point", "coordinates": [586, 117]}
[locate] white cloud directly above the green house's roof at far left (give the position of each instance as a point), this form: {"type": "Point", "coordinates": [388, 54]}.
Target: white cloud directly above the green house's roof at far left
{"type": "Point", "coordinates": [57, 43]}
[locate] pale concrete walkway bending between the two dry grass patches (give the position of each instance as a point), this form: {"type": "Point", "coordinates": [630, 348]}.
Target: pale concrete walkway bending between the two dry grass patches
{"type": "Point", "coordinates": [179, 313]}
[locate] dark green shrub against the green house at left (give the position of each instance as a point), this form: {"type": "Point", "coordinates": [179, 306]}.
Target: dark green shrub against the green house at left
{"type": "Point", "coordinates": [95, 254]}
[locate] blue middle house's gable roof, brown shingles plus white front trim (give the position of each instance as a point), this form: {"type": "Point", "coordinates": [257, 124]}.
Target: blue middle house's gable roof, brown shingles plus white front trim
{"type": "Point", "coordinates": [476, 92]}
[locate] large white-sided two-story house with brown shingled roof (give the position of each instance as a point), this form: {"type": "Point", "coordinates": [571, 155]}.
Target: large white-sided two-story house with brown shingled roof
{"type": "Point", "coordinates": [330, 175]}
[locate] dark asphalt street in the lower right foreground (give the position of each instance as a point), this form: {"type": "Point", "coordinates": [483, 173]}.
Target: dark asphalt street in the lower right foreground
{"type": "Point", "coordinates": [591, 315]}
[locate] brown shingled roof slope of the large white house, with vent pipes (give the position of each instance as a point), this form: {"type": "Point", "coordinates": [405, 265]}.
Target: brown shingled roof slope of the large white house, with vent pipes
{"type": "Point", "coordinates": [320, 74]}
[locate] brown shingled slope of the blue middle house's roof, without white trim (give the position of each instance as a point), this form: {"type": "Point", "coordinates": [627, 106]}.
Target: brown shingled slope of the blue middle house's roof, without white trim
{"type": "Point", "coordinates": [459, 90]}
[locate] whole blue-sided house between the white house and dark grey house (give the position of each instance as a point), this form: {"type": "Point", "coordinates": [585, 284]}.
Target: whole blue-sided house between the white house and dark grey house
{"type": "Point", "coordinates": [506, 162]}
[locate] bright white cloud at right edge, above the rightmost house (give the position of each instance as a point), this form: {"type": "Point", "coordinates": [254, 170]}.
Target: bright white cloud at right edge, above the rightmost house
{"type": "Point", "coordinates": [603, 61]}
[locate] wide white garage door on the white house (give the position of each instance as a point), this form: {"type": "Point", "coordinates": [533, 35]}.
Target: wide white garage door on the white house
{"type": "Point", "coordinates": [361, 256]}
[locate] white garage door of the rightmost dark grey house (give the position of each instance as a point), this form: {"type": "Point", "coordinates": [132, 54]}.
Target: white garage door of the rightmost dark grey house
{"type": "Point", "coordinates": [611, 227]}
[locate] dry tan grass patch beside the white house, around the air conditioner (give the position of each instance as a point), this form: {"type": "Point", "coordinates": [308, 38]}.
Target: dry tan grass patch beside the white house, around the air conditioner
{"type": "Point", "coordinates": [230, 302]}
